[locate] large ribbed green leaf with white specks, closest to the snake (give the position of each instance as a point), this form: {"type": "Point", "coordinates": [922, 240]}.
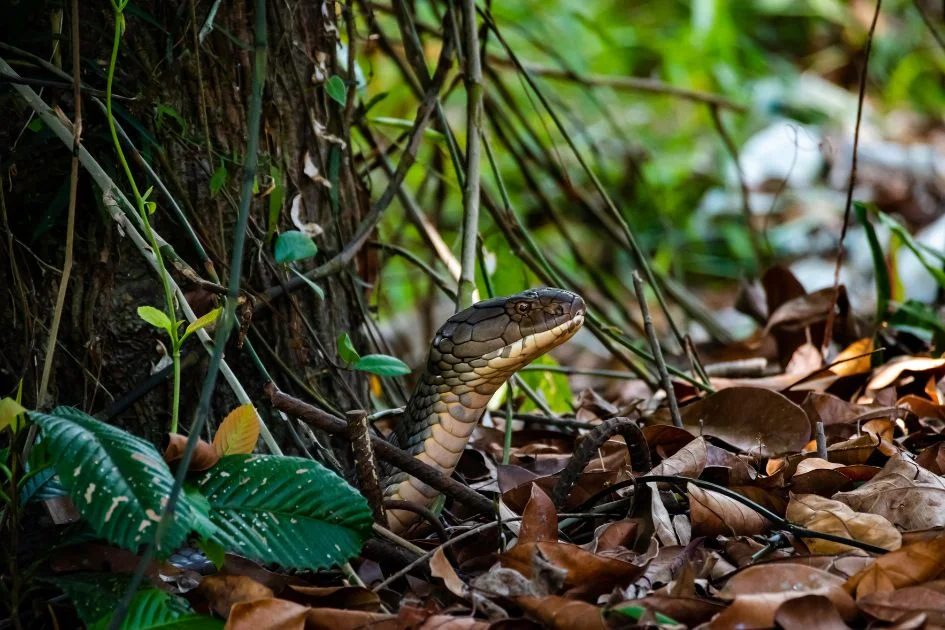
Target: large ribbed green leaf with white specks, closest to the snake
{"type": "Point", "coordinates": [289, 511]}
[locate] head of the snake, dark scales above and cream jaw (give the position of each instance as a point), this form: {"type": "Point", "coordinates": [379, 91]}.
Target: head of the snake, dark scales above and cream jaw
{"type": "Point", "coordinates": [503, 334]}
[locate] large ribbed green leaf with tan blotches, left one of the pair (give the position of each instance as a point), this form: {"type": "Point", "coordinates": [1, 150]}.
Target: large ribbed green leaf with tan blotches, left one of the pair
{"type": "Point", "coordinates": [118, 482]}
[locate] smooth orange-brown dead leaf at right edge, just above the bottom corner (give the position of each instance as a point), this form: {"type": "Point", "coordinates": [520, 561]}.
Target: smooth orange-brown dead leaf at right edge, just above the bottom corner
{"type": "Point", "coordinates": [907, 566]}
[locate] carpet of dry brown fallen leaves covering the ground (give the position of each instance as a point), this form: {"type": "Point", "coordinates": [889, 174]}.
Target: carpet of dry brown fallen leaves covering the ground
{"type": "Point", "coordinates": [740, 520]}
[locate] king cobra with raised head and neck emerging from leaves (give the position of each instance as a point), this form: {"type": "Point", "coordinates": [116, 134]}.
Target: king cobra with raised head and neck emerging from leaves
{"type": "Point", "coordinates": [474, 353]}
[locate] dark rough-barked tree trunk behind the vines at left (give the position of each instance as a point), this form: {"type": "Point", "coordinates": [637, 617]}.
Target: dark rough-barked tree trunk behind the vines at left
{"type": "Point", "coordinates": [188, 119]}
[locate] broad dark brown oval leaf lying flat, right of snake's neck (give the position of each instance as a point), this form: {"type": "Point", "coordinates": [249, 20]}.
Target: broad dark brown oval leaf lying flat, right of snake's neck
{"type": "Point", "coordinates": [754, 420]}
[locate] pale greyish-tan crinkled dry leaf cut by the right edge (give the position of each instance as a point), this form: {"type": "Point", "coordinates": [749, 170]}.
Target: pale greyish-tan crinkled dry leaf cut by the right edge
{"type": "Point", "coordinates": [906, 494]}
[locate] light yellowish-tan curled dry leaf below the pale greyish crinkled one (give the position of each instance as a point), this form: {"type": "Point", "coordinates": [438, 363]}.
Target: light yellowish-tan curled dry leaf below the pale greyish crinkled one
{"type": "Point", "coordinates": [833, 517]}
